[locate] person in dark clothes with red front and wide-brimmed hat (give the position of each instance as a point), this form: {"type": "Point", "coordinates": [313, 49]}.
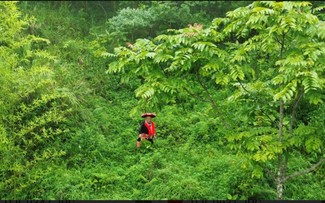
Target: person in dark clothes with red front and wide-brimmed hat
{"type": "Point", "coordinates": [147, 130]}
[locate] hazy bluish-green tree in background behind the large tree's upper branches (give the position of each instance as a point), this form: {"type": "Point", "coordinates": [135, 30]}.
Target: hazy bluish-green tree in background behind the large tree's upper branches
{"type": "Point", "coordinates": [148, 19]}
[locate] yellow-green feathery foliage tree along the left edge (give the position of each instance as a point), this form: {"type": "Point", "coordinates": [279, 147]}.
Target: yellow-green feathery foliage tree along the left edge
{"type": "Point", "coordinates": [33, 111]}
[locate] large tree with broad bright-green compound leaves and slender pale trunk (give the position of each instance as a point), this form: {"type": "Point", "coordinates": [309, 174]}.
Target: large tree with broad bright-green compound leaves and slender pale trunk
{"type": "Point", "coordinates": [266, 59]}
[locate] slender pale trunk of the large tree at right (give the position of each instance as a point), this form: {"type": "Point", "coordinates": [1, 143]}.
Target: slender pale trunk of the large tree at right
{"type": "Point", "coordinates": [280, 177]}
